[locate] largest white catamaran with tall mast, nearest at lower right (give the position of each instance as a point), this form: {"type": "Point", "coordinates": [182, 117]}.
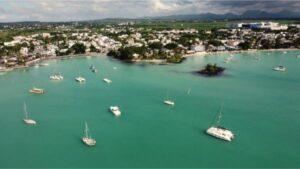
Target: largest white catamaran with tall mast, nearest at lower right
{"type": "Point", "coordinates": [220, 132]}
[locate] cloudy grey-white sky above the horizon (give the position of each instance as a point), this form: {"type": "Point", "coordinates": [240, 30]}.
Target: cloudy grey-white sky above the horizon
{"type": "Point", "coordinates": [66, 10]}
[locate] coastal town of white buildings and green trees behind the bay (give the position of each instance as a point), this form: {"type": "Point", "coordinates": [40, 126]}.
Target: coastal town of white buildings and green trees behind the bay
{"type": "Point", "coordinates": [131, 42]}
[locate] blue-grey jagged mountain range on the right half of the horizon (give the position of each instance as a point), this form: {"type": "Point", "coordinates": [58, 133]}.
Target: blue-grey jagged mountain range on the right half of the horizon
{"type": "Point", "coordinates": [248, 15]}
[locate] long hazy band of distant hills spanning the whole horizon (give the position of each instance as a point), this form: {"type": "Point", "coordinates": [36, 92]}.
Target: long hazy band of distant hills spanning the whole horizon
{"type": "Point", "coordinates": [248, 15]}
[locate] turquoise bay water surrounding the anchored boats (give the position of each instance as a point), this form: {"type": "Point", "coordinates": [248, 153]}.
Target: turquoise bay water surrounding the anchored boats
{"type": "Point", "coordinates": [261, 107]}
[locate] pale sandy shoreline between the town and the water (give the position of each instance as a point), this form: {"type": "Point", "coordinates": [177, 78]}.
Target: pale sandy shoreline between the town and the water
{"type": "Point", "coordinates": [152, 61]}
